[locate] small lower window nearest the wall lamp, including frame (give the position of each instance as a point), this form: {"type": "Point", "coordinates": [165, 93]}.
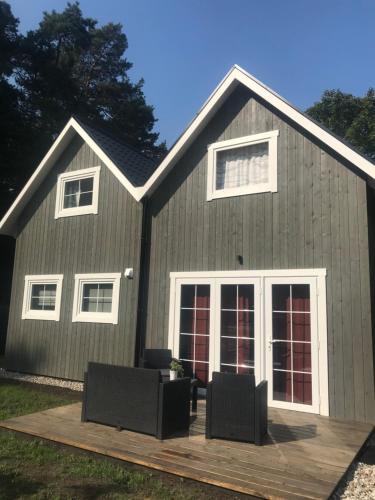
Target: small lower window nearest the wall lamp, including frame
{"type": "Point", "coordinates": [96, 298]}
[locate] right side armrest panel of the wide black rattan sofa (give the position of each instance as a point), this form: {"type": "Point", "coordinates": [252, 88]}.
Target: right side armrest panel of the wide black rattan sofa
{"type": "Point", "coordinates": [174, 407]}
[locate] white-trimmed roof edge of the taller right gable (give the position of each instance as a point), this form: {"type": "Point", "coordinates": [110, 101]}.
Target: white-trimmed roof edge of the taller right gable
{"type": "Point", "coordinates": [233, 78]}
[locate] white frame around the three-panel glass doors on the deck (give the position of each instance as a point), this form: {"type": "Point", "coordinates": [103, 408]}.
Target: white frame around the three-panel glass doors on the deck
{"type": "Point", "coordinates": [262, 280]}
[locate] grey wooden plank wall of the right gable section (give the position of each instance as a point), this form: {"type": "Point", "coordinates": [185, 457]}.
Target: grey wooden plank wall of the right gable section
{"type": "Point", "coordinates": [317, 219]}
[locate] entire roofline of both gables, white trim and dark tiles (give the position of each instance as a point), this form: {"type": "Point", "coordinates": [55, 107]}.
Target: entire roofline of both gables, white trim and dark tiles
{"type": "Point", "coordinates": [141, 175]}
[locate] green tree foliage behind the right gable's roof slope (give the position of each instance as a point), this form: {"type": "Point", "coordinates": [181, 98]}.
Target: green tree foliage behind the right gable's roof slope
{"type": "Point", "coordinates": [350, 117]}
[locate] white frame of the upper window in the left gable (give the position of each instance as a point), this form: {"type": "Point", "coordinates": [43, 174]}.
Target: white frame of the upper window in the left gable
{"type": "Point", "coordinates": [76, 175]}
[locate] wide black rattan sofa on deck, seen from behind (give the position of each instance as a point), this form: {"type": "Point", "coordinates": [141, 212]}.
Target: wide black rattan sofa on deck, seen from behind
{"type": "Point", "coordinates": [136, 399]}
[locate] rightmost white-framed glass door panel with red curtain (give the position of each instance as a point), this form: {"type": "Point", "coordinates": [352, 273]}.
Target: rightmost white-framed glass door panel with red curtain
{"type": "Point", "coordinates": [291, 353]}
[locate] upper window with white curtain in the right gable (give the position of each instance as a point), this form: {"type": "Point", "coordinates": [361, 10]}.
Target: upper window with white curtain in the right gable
{"type": "Point", "coordinates": [242, 166]}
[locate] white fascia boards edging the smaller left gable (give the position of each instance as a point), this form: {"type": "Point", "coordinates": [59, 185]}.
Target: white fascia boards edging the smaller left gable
{"type": "Point", "coordinates": [72, 127]}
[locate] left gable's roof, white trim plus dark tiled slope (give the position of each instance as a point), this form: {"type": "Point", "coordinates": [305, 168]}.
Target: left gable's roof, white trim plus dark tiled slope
{"type": "Point", "coordinates": [127, 165]}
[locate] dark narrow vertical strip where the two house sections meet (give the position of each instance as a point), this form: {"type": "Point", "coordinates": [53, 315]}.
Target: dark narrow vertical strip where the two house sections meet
{"type": "Point", "coordinates": [142, 288]}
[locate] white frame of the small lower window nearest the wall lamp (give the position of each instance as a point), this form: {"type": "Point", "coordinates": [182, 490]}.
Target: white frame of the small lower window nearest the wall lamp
{"type": "Point", "coordinates": [90, 317]}
